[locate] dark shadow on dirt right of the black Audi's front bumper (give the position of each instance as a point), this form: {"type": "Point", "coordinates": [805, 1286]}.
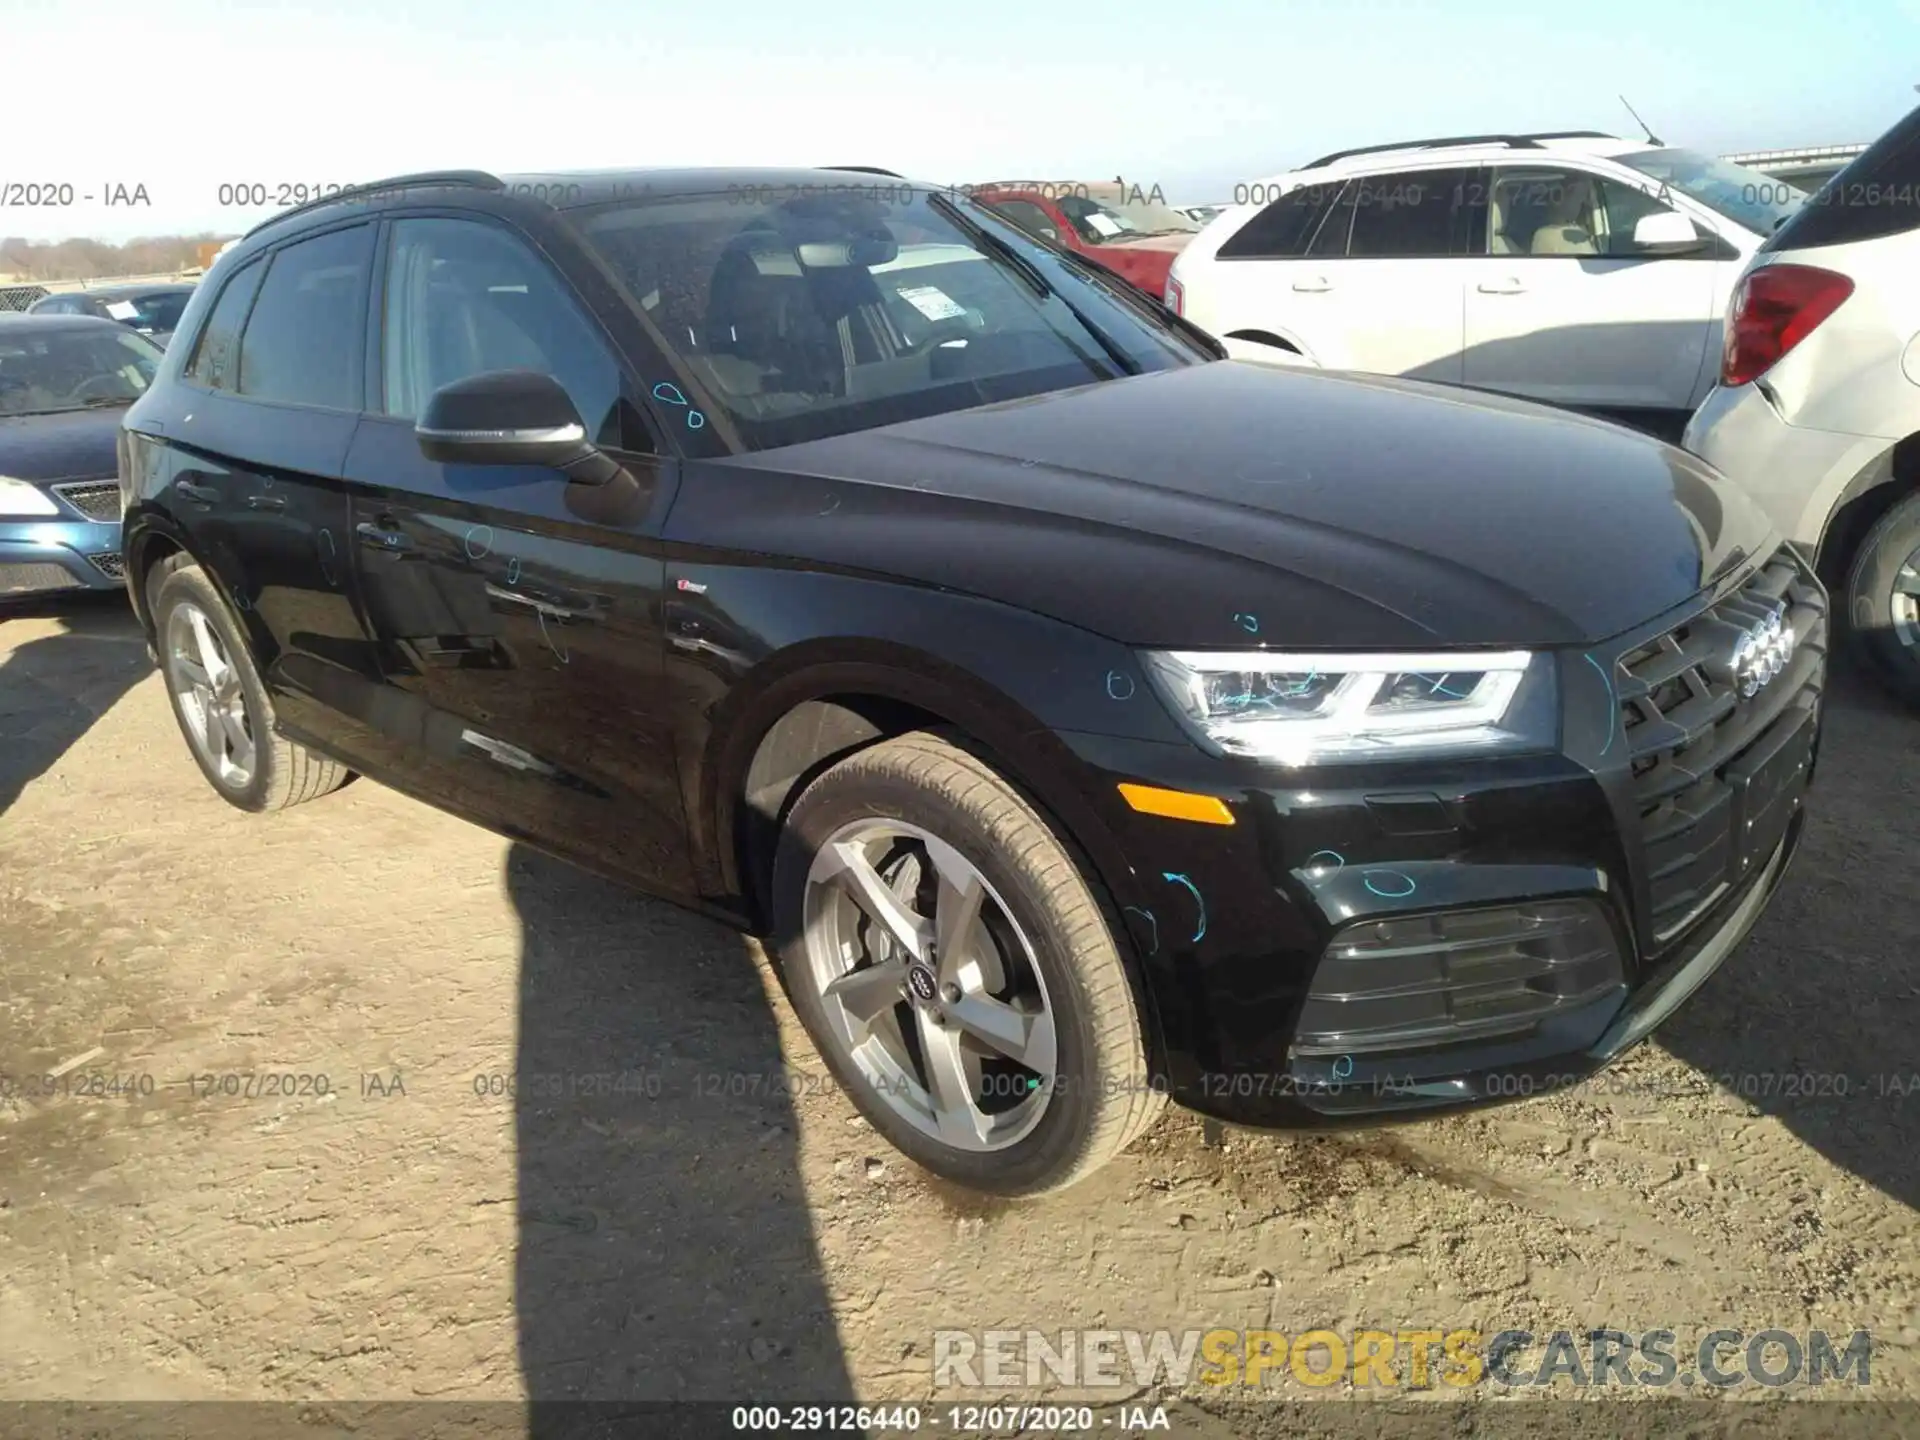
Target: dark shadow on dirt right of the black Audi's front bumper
{"type": "Point", "coordinates": [1815, 1019]}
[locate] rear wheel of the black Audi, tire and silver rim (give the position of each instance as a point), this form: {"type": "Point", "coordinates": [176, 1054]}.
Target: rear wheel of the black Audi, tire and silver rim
{"type": "Point", "coordinates": [220, 702]}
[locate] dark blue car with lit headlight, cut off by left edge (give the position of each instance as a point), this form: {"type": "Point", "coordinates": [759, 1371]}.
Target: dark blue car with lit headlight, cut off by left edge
{"type": "Point", "coordinates": [66, 381]}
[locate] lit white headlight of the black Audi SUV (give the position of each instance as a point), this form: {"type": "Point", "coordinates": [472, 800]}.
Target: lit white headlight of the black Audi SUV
{"type": "Point", "coordinates": [1307, 709]}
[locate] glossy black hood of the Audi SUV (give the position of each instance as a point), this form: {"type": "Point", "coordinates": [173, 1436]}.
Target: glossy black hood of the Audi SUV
{"type": "Point", "coordinates": [1216, 502]}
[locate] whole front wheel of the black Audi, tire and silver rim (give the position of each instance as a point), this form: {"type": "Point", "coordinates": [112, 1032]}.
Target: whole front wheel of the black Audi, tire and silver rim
{"type": "Point", "coordinates": [957, 972]}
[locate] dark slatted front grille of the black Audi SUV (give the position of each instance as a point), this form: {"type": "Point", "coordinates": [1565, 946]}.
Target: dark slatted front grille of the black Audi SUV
{"type": "Point", "coordinates": [1710, 763]}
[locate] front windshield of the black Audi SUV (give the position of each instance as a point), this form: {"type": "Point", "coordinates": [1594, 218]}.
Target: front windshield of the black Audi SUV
{"type": "Point", "coordinates": [846, 308]}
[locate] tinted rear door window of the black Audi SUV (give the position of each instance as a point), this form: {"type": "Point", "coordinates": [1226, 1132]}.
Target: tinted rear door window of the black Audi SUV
{"type": "Point", "coordinates": [302, 345]}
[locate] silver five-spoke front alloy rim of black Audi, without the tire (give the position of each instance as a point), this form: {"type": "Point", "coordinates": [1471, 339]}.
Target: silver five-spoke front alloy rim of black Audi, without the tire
{"type": "Point", "coordinates": [930, 984]}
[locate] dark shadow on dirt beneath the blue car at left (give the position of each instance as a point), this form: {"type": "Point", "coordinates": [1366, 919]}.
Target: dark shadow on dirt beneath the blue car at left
{"type": "Point", "coordinates": [55, 688]}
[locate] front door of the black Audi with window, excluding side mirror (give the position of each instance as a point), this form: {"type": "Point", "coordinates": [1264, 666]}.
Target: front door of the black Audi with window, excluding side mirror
{"type": "Point", "coordinates": [517, 615]}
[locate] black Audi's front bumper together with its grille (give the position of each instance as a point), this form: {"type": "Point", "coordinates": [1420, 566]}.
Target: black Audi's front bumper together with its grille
{"type": "Point", "coordinates": [1239, 926]}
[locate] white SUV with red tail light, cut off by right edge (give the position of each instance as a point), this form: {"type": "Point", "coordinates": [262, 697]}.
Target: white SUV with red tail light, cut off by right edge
{"type": "Point", "coordinates": [1819, 402]}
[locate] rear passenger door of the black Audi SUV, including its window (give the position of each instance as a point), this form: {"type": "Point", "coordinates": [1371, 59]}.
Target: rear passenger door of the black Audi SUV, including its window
{"type": "Point", "coordinates": [258, 437]}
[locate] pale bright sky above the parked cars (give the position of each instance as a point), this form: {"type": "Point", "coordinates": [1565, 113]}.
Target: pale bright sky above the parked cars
{"type": "Point", "coordinates": [1188, 97]}
